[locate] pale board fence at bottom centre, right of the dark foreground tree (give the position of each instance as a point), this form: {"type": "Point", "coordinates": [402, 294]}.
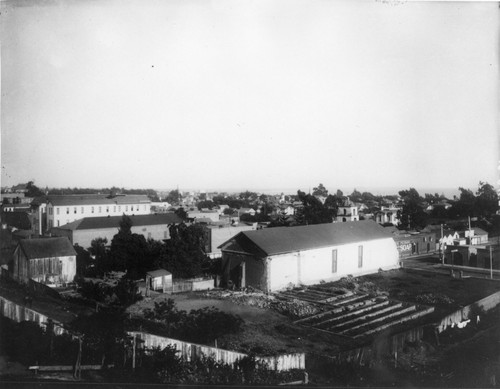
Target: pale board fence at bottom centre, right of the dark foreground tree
{"type": "Point", "coordinates": [192, 351]}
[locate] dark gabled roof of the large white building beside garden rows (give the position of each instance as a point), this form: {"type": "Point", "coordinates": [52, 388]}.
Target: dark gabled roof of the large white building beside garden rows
{"type": "Point", "coordinates": [279, 240]}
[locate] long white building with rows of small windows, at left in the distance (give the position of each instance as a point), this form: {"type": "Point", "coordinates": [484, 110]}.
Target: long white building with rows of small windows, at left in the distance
{"type": "Point", "coordinates": [65, 209]}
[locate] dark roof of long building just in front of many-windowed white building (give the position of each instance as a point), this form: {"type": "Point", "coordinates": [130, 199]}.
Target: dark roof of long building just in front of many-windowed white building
{"type": "Point", "coordinates": [93, 223]}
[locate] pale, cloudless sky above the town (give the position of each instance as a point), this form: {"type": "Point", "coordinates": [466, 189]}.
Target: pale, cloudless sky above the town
{"type": "Point", "coordinates": [250, 94]}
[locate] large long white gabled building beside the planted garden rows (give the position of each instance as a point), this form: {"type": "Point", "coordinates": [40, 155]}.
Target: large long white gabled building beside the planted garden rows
{"type": "Point", "coordinates": [277, 258]}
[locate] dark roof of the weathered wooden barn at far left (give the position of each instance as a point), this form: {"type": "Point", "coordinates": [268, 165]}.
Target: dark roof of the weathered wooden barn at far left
{"type": "Point", "coordinates": [46, 247]}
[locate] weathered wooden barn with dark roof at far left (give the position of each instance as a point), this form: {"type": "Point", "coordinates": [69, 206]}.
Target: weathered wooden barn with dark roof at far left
{"type": "Point", "coordinates": [45, 260]}
